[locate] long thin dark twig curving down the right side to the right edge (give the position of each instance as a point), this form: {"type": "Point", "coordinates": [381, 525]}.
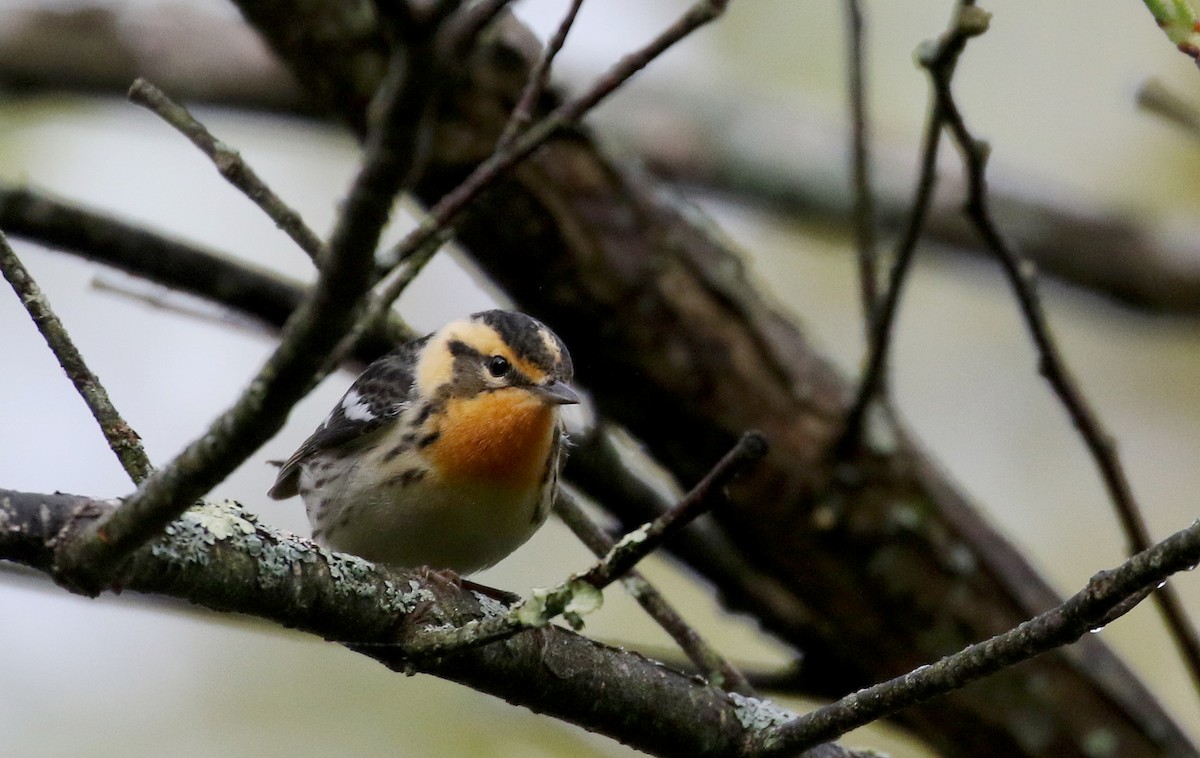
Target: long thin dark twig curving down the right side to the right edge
{"type": "Point", "coordinates": [1022, 276]}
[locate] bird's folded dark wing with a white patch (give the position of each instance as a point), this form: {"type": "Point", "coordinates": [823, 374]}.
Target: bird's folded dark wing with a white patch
{"type": "Point", "coordinates": [376, 400]}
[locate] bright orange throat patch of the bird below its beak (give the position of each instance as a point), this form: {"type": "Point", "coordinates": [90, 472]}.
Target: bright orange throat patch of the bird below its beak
{"type": "Point", "coordinates": [500, 437]}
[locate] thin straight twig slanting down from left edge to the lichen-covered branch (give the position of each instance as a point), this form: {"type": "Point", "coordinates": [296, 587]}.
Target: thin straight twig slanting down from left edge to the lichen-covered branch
{"type": "Point", "coordinates": [122, 438]}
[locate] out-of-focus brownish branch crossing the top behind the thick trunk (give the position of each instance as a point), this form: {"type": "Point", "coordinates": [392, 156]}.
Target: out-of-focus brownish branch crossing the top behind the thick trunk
{"type": "Point", "coordinates": [103, 50]}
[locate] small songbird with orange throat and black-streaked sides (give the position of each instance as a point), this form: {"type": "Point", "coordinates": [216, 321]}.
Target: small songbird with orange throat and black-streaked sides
{"type": "Point", "coordinates": [446, 453]}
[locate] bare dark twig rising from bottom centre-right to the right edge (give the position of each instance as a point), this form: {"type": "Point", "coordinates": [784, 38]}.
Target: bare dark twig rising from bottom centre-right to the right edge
{"type": "Point", "coordinates": [1102, 601]}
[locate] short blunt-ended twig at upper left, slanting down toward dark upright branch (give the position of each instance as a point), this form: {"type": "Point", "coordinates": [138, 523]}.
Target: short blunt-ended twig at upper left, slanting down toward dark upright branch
{"type": "Point", "coordinates": [230, 164]}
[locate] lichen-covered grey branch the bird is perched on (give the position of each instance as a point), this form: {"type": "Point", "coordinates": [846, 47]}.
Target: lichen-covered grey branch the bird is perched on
{"type": "Point", "coordinates": [219, 556]}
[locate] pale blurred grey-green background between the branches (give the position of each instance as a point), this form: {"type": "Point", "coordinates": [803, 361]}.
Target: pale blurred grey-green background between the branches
{"type": "Point", "coordinates": [129, 676]}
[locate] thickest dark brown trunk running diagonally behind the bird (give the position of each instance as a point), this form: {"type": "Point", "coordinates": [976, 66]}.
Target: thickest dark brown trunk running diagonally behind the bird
{"type": "Point", "coordinates": [598, 244]}
